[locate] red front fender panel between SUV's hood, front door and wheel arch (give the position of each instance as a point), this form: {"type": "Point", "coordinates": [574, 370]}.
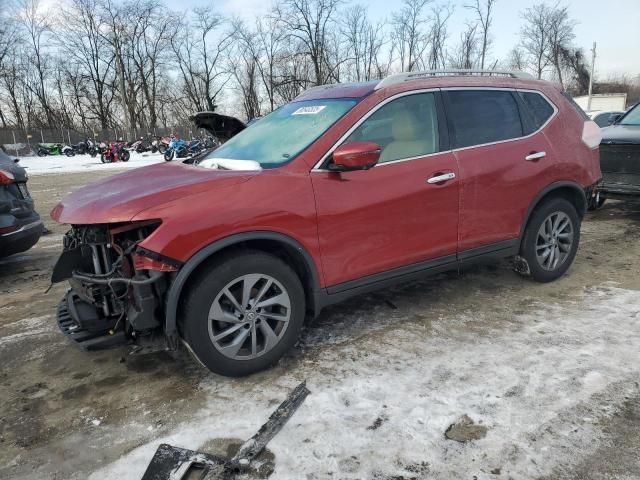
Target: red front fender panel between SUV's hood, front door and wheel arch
{"type": "Point", "coordinates": [270, 201]}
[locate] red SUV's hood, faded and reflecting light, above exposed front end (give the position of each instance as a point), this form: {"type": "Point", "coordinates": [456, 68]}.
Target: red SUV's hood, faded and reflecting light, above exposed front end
{"type": "Point", "coordinates": [122, 197]}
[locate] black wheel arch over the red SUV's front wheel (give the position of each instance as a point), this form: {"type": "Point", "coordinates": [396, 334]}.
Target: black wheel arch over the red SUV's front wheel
{"type": "Point", "coordinates": [275, 243]}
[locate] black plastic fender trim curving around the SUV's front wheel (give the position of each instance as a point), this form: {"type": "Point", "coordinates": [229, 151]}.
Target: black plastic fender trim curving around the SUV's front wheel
{"type": "Point", "coordinates": [175, 291]}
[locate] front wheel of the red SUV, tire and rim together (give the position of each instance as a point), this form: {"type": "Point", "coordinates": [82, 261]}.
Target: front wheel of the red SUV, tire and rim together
{"type": "Point", "coordinates": [243, 313]}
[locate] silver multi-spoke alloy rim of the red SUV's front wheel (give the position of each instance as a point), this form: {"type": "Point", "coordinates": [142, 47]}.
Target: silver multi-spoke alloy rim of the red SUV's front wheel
{"type": "Point", "coordinates": [249, 316]}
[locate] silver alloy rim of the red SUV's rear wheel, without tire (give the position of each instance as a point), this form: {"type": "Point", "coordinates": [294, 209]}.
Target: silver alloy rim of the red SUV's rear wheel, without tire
{"type": "Point", "coordinates": [554, 241]}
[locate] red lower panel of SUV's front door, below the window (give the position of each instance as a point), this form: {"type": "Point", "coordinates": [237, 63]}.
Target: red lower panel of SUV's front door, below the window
{"type": "Point", "coordinates": [387, 217]}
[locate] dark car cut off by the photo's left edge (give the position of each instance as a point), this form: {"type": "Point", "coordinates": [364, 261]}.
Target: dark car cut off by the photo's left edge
{"type": "Point", "coordinates": [20, 225]}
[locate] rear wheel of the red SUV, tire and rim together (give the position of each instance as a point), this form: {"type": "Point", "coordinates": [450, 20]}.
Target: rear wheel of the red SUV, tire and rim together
{"type": "Point", "coordinates": [551, 239]}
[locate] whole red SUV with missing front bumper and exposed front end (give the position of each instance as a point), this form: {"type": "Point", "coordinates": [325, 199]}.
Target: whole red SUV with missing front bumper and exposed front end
{"type": "Point", "coordinates": [347, 189]}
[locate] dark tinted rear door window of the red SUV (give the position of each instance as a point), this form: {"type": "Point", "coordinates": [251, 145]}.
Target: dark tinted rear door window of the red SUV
{"type": "Point", "coordinates": [483, 116]}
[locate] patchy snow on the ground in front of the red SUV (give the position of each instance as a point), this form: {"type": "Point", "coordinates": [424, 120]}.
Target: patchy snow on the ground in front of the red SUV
{"type": "Point", "coordinates": [380, 403]}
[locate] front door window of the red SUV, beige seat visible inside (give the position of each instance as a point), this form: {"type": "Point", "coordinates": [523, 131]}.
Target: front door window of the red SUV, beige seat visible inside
{"type": "Point", "coordinates": [404, 128]}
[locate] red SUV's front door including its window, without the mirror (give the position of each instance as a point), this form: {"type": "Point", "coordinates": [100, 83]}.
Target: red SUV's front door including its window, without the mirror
{"type": "Point", "coordinates": [390, 216]}
